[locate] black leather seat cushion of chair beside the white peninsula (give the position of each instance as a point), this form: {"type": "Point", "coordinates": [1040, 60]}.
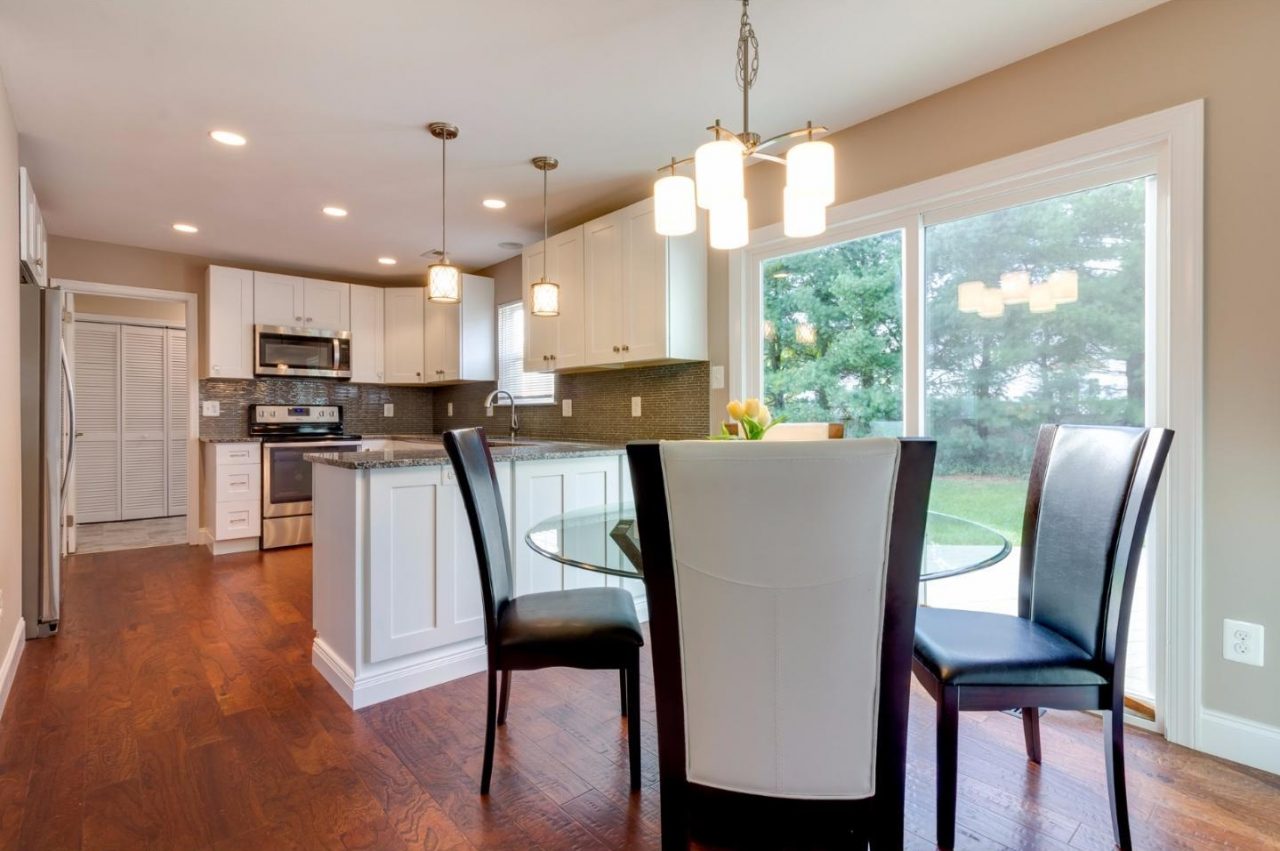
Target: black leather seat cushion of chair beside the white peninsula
{"type": "Point", "coordinates": [580, 629]}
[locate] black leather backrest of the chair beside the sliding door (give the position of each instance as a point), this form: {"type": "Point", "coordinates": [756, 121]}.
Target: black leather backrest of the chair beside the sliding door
{"type": "Point", "coordinates": [1089, 504]}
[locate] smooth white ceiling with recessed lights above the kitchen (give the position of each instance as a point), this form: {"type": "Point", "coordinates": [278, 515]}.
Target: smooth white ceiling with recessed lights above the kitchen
{"type": "Point", "coordinates": [113, 102]}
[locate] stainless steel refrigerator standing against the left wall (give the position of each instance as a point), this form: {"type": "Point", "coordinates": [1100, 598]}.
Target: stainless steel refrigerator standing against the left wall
{"type": "Point", "coordinates": [48, 454]}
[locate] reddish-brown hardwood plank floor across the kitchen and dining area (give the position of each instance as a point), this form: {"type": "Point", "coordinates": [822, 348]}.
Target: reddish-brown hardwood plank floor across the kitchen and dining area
{"type": "Point", "coordinates": [179, 710]}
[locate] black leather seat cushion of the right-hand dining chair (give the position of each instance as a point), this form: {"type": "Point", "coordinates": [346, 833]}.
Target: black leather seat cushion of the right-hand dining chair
{"type": "Point", "coordinates": [984, 649]}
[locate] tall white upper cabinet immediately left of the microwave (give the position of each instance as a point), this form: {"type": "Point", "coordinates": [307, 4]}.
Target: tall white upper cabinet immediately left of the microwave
{"type": "Point", "coordinates": [227, 318]}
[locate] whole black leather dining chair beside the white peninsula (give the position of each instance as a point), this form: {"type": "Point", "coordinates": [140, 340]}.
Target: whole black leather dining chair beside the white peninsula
{"type": "Point", "coordinates": [580, 629]}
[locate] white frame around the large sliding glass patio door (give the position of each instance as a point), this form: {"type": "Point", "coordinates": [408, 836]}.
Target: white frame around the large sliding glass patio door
{"type": "Point", "coordinates": [1176, 139]}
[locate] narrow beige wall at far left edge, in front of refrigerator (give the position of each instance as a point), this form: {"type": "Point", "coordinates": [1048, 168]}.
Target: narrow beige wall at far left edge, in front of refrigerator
{"type": "Point", "coordinates": [11, 431]}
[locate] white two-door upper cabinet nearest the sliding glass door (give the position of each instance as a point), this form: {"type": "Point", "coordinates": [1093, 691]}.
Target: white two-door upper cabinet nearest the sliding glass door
{"type": "Point", "coordinates": [646, 295]}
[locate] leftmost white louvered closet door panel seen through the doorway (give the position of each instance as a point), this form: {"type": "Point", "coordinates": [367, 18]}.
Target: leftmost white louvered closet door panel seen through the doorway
{"type": "Point", "coordinates": [98, 423]}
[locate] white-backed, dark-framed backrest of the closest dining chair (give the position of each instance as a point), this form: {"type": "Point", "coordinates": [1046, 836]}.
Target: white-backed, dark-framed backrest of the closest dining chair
{"type": "Point", "coordinates": [783, 583]}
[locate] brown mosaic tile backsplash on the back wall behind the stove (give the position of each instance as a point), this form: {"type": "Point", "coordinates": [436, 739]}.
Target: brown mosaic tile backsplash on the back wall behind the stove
{"type": "Point", "coordinates": [362, 405]}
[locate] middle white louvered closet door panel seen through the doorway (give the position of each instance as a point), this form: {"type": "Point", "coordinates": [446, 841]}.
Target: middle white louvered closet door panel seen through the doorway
{"type": "Point", "coordinates": [143, 409]}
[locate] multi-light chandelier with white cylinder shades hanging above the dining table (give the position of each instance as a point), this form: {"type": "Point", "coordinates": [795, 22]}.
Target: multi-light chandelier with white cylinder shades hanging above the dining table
{"type": "Point", "coordinates": [719, 184]}
